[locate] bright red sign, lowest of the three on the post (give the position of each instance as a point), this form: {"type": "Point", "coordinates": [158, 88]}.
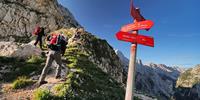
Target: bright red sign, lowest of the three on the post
{"type": "Point", "coordinates": [133, 38]}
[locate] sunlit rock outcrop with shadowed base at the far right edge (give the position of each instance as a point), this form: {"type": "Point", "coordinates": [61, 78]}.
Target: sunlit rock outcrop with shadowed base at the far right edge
{"type": "Point", "coordinates": [188, 85]}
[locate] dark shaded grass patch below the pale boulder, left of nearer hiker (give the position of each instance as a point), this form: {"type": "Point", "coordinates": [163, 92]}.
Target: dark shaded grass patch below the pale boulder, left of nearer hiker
{"type": "Point", "coordinates": [22, 67]}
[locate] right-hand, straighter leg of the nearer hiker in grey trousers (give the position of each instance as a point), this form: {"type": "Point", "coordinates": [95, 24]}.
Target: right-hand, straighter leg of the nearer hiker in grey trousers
{"type": "Point", "coordinates": [59, 62]}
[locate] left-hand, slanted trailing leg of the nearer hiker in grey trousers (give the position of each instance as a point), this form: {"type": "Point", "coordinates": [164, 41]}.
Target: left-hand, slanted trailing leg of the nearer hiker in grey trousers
{"type": "Point", "coordinates": [47, 65]}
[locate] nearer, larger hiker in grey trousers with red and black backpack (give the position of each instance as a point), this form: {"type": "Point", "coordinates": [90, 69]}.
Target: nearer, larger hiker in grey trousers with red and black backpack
{"type": "Point", "coordinates": [54, 46]}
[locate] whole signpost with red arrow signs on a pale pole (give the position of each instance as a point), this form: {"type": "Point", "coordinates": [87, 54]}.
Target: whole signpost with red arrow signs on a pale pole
{"type": "Point", "coordinates": [129, 33]}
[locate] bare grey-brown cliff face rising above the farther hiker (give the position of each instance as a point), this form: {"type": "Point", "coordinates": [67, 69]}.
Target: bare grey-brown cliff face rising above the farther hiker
{"type": "Point", "coordinates": [18, 18]}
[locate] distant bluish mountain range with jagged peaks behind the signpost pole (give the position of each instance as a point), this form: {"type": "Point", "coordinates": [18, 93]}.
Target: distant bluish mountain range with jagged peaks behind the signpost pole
{"type": "Point", "coordinates": [156, 80]}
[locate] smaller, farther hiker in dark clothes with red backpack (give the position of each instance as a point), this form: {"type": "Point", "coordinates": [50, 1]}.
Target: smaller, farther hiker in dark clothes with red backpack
{"type": "Point", "coordinates": [39, 32]}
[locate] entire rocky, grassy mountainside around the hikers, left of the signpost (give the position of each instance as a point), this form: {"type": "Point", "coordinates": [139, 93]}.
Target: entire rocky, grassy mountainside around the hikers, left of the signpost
{"type": "Point", "coordinates": [95, 70]}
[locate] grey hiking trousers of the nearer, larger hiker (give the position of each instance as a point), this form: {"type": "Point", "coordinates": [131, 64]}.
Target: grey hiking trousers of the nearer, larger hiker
{"type": "Point", "coordinates": [52, 55]}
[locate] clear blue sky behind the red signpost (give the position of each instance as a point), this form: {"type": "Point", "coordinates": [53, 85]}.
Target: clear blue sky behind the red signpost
{"type": "Point", "coordinates": [175, 31]}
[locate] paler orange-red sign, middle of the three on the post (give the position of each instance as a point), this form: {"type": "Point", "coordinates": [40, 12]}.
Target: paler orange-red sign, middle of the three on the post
{"type": "Point", "coordinates": [143, 25]}
